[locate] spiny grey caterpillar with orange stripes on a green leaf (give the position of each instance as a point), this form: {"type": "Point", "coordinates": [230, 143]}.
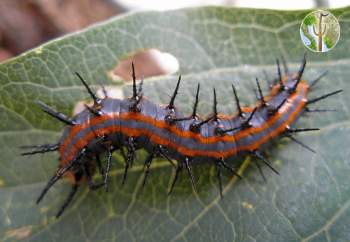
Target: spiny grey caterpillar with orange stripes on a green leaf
{"type": "Point", "coordinates": [136, 123]}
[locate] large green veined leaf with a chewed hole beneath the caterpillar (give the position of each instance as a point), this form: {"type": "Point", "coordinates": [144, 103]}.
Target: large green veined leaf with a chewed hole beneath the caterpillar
{"type": "Point", "coordinates": [215, 46]}
